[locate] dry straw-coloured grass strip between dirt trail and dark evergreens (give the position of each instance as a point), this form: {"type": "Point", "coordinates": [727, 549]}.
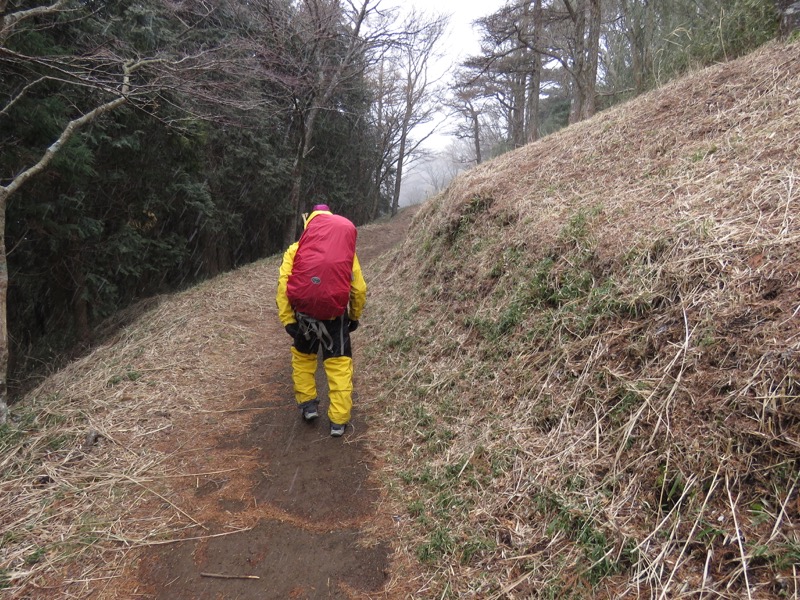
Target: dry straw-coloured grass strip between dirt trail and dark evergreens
{"type": "Point", "coordinates": [87, 462]}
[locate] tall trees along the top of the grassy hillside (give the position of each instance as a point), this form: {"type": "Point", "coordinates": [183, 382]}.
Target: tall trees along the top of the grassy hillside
{"type": "Point", "coordinates": [546, 63]}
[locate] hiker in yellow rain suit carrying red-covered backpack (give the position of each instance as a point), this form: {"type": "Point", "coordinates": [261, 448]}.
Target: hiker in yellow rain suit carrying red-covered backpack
{"type": "Point", "coordinates": [321, 294]}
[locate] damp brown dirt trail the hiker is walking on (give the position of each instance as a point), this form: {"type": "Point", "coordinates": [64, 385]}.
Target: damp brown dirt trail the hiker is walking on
{"type": "Point", "coordinates": [278, 500]}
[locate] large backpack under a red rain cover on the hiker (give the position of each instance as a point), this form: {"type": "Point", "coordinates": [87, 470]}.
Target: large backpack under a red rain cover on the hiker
{"type": "Point", "coordinates": [319, 285]}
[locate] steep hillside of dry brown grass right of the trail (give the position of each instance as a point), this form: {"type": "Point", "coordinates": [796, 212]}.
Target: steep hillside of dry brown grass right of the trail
{"type": "Point", "coordinates": [589, 349]}
